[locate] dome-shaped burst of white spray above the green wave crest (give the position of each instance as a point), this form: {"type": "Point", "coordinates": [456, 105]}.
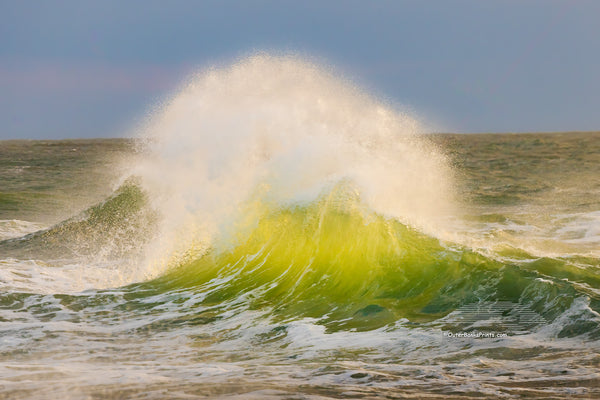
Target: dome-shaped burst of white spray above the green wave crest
{"type": "Point", "coordinates": [279, 131]}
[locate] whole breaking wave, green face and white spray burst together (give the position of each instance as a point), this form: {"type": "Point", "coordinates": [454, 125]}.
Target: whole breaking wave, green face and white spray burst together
{"type": "Point", "coordinates": [276, 182]}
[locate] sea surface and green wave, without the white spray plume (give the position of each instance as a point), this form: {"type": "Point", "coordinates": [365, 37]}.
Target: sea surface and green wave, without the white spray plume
{"type": "Point", "coordinates": [314, 299]}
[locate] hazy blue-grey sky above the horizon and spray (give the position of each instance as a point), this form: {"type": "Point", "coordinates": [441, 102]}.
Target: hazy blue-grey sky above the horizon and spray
{"type": "Point", "coordinates": [79, 69]}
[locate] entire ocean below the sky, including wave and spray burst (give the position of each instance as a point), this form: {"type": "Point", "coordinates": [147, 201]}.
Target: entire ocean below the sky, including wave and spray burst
{"type": "Point", "coordinates": [274, 232]}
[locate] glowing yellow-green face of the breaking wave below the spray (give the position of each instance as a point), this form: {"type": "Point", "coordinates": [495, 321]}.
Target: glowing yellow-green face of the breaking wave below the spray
{"type": "Point", "coordinates": [352, 269]}
